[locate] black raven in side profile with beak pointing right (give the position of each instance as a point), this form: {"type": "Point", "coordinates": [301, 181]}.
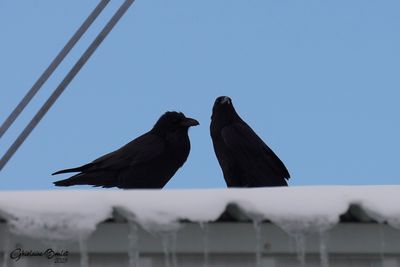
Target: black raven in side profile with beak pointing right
{"type": "Point", "coordinates": [149, 161]}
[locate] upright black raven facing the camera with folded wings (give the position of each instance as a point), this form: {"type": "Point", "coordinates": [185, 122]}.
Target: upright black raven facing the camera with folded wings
{"type": "Point", "coordinates": [245, 160]}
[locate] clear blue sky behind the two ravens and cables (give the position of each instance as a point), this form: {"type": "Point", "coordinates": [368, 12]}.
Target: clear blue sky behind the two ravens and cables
{"type": "Point", "coordinates": [319, 81]}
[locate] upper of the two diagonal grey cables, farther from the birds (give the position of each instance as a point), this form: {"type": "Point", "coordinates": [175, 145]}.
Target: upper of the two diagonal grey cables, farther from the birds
{"type": "Point", "coordinates": [52, 67]}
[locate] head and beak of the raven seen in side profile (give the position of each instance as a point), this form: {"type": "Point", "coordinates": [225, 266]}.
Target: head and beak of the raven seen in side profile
{"type": "Point", "coordinates": [172, 121]}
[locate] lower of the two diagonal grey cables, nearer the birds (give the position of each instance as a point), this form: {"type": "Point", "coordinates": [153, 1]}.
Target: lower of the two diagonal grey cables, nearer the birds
{"type": "Point", "coordinates": [68, 78]}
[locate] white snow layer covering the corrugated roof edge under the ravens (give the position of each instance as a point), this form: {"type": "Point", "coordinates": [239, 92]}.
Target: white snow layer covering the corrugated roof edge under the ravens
{"type": "Point", "coordinates": [74, 214]}
